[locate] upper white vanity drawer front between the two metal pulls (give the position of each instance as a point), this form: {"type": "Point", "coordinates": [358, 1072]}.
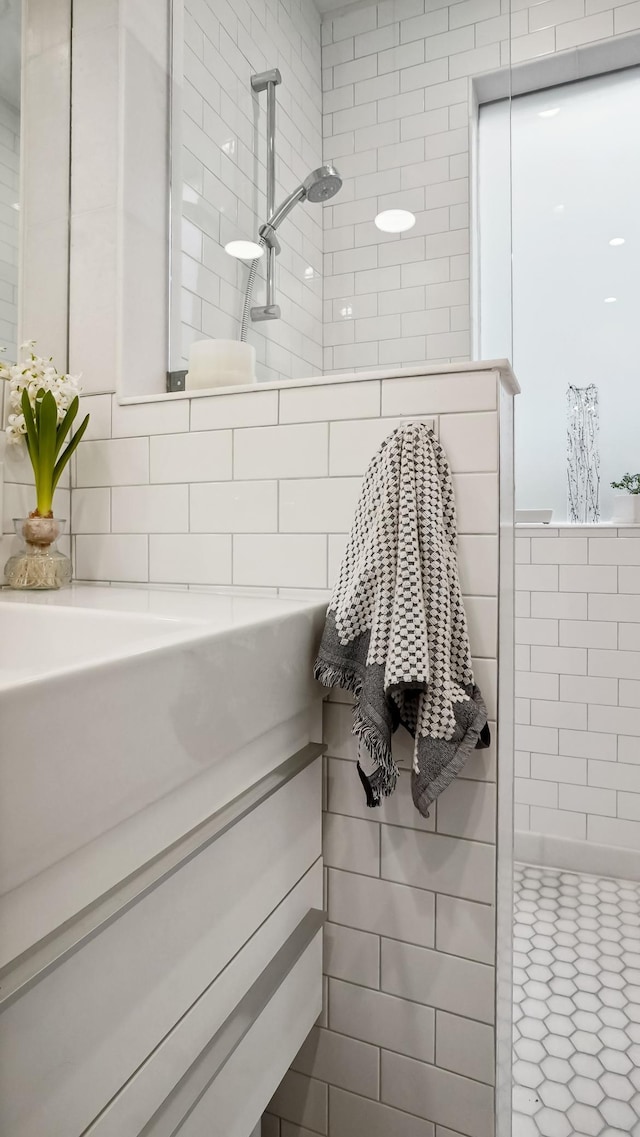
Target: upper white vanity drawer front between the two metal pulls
{"type": "Point", "coordinates": [70, 1044]}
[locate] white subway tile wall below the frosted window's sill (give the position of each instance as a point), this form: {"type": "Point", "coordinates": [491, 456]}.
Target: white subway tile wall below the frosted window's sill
{"type": "Point", "coordinates": [579, 686]}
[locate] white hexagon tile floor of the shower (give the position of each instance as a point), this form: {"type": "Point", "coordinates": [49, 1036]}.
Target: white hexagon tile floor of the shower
{"type": "Point", "coordinates": [576, 1061]}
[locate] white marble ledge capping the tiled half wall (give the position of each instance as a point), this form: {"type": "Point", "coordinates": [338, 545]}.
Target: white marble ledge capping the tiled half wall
{"type": "Point", "coordinates": [503, 367]}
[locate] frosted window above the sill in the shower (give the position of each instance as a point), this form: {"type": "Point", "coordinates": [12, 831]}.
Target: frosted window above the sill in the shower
{"type": "Point", "coordinates": [576, 231]}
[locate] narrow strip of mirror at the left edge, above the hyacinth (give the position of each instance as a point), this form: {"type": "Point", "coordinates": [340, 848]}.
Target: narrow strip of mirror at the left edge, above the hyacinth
{"type": "Point", "coordinates": [10, 173]}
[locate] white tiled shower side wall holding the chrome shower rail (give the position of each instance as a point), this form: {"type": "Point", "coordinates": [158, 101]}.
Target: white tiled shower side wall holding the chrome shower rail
{"type": "Point", "coordinates": [225, 176]}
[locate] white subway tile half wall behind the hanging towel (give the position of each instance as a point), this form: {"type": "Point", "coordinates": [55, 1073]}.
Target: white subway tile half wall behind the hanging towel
{"type": "Point", "coordinates": [257, 491]}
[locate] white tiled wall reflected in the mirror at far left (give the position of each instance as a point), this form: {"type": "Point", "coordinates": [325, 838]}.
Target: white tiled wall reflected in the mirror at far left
{"type": "Point", "coordinates": [10, 223]}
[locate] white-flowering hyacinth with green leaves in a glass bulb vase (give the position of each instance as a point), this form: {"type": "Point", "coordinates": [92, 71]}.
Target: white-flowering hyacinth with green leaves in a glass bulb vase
{"type": "Point", "coordinates": [43, 409]}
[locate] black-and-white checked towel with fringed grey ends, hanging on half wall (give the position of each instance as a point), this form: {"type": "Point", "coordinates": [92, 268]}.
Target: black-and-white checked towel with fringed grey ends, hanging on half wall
{"type": "Point", "coordinates": [396, 630]}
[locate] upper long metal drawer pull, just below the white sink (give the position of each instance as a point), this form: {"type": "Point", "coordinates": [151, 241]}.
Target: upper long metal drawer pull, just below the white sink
{"type": "Point", "coordinates": [29, 968]}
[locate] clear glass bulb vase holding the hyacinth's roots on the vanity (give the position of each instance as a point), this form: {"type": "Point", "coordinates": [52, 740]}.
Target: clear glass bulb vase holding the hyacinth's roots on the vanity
{"type": "Point", "coordinates": [38, 565]}
